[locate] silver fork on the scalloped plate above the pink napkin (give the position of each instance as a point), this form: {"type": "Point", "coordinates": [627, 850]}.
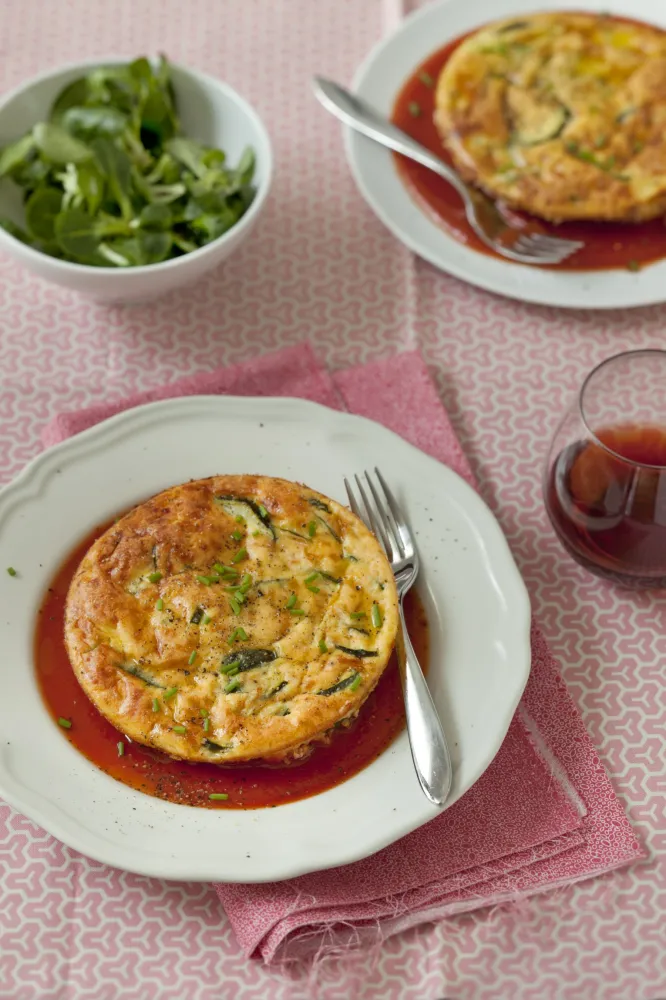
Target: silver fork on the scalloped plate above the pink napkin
{"type": "Point", "coordinates": [430, 753]}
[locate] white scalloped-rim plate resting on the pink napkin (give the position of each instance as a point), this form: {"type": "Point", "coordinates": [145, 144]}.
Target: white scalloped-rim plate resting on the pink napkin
{"type": "Point", "coordinates": [477, 604]}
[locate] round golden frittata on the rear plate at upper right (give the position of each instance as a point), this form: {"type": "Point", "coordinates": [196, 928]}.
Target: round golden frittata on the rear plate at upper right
{"type": "Point", "coordinates": [562, 115]}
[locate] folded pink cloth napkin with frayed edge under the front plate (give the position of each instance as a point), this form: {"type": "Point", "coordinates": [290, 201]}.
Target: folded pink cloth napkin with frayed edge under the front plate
{"type": "Point", "coordinates": [543, 815]}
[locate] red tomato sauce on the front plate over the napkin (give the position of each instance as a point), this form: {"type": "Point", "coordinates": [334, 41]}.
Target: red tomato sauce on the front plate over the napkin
{"type": "Point", "coordinates": [249, 786]}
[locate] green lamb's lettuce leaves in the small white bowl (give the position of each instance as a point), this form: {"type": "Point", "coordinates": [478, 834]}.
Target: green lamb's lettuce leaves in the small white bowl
{"type": "Point", "coordinates": [109, 180]}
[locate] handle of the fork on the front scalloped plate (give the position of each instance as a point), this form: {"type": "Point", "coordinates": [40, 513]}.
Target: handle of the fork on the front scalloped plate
{"type": "Point", "coordinates": [430, 752]}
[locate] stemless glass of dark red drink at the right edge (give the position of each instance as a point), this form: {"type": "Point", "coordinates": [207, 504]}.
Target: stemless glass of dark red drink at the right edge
{"type": "Point", "coordinates": [605, 478]}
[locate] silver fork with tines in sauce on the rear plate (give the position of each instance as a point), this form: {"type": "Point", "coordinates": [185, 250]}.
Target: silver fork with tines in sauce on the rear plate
{"type": "Point", "coordinates": [527, 245]}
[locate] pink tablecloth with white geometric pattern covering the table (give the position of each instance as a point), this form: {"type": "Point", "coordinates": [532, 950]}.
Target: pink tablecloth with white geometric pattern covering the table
{"type": "Point", "coordinates": [321, 266]}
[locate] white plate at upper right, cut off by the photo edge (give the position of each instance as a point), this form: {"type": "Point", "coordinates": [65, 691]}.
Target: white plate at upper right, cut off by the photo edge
{"type": "Point", "coordinates": [379, 81]}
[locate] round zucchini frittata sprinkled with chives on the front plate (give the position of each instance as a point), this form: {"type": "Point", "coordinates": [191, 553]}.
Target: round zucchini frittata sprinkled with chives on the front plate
{"type": "Point", "coordinates": [147, 596]}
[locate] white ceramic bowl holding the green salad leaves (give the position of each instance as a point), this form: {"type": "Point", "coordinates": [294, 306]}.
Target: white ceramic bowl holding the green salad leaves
{"type": "Point", "coordinates": [210, 111]}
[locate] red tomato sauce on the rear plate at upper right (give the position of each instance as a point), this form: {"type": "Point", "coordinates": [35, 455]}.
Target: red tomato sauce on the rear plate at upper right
{"type": "Point", "coordinates": [607, 244]}
